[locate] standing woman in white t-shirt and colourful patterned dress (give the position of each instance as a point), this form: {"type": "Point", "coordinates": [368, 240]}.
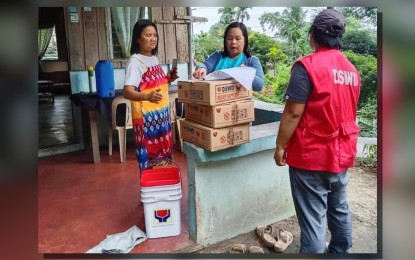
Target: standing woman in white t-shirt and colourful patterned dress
{"type": "Point", "coordinates": [146, 85]}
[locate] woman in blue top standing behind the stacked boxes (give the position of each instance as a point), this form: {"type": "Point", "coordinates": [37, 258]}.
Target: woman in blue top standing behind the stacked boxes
{"type": "Point", "coordinates": [235, 53]}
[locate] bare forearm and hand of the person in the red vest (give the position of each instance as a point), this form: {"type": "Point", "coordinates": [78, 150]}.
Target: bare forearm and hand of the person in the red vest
{"type": "Point", "coordinates": [289, 122]}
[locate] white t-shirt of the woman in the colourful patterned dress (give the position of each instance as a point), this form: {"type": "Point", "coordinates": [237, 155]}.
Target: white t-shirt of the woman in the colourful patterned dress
{"type": "Point", "coordinates": [136, 66]}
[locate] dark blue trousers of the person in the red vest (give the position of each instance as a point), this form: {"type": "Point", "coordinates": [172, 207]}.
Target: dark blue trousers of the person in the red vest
{"type": "Point", "coordinates": [320, 200]}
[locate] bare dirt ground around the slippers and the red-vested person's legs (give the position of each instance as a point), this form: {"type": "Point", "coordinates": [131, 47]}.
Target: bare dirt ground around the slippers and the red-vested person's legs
{"type": "Point", "coordinates": [362, 198]}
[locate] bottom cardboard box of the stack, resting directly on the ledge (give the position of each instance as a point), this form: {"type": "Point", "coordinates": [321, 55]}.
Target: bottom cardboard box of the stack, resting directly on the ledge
{"type": "Point", "coordinates": [213, 139]}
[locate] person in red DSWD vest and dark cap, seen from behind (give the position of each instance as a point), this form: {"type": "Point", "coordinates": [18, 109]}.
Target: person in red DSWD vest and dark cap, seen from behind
{"type": "Point", "coordinates": [317, 137]}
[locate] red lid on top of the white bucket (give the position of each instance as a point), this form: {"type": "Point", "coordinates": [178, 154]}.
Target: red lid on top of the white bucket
{"type": "Point", "coordinates": [160, 177]}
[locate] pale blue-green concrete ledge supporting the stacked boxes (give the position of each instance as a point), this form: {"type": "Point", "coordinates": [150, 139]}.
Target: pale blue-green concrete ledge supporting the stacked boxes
{"type": "Point", "coordinates": [234, 190]}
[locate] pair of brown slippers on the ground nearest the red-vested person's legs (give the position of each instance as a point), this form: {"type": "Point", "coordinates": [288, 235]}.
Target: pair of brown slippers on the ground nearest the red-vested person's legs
{"type": "Point", "coordinates": [279, 239]}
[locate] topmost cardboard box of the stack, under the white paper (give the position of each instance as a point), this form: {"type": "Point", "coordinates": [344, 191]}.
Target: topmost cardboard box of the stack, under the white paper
{"type": "Point", "coordinates": [211, 92]}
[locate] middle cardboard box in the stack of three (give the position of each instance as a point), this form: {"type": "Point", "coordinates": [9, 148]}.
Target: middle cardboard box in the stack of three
{"type": "Point", "coordinates": [222, 115]}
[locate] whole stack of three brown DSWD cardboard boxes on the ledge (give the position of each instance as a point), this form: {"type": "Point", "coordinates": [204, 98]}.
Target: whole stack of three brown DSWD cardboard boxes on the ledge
{"type": "Point", "coordinates": [217, 113]}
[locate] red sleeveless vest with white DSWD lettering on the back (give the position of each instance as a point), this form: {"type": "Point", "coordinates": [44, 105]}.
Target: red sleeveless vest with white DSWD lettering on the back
{"type": "Point", "coordinates": [326, 136]}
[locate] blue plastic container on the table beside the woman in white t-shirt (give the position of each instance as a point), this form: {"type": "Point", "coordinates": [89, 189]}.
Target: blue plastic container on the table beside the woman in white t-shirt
{"type": "Point", "coordinates": [104, 76]}
